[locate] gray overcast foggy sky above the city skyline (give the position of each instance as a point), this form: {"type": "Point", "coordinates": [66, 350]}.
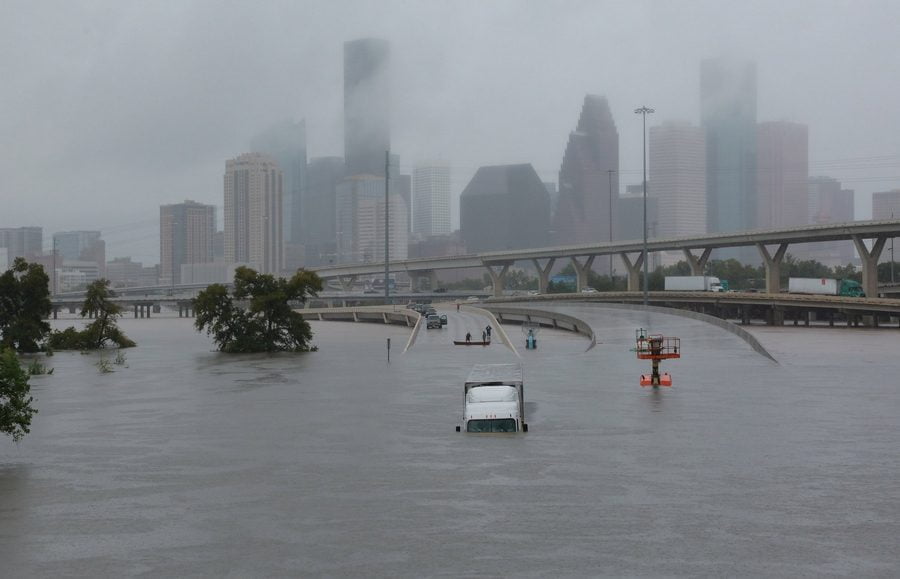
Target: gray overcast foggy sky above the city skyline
{"type": "Point", "coordinates": [110, 108]}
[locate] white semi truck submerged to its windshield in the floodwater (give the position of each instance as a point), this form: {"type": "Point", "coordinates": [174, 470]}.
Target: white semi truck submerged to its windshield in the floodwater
{"type": "Point", "coordinates": [494, 399]}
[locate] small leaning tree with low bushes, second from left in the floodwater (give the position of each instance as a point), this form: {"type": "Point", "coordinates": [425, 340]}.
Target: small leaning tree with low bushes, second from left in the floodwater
{"type": "Point", "coordinates": [97, 304]}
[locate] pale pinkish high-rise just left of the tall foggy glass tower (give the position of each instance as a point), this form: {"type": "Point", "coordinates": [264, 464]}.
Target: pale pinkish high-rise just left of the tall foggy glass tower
{"type": "Point", "coordinates": [677, 160]}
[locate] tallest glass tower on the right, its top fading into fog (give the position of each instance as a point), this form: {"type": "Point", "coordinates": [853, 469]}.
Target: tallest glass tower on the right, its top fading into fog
{"type": "Point", "coordinates": [728, 114]}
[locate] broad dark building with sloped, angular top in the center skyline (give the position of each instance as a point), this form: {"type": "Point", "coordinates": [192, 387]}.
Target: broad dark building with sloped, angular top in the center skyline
{"type": "Point", "coordinates": [504, 207]}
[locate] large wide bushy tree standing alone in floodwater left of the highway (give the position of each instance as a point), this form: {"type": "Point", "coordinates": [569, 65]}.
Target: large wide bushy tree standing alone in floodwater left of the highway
{"type": "Point", "coordinates": [265, 321]}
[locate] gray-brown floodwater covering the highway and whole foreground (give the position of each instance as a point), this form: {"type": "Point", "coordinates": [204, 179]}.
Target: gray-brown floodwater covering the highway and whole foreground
{"type": "Point", "coordinates": [185, 462]}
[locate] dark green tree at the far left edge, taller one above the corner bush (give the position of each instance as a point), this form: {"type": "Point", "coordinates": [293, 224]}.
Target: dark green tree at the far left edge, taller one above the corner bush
{"type": "Point", "coordinates": [24, 304]}
